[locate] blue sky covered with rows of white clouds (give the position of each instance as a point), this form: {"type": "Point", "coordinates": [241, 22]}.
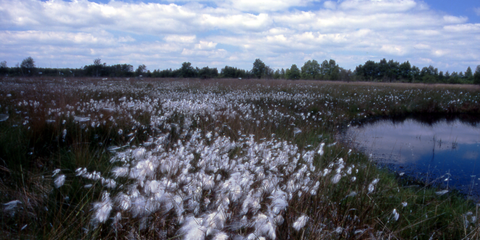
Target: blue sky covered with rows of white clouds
{"type": "Point", "coordinates": [219, 33]}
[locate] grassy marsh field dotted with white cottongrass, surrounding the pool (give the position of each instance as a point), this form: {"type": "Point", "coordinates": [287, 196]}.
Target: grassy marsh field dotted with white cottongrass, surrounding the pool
{"type": "Point", "coordinates": [85, 158]}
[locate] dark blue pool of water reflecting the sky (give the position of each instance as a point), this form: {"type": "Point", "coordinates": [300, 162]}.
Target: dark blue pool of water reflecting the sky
{"type": "Point", "coordinates": [442, 152]}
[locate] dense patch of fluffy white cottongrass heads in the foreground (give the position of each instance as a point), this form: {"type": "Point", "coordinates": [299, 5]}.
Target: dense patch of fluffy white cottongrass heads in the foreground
{"type": "Point", "coordinates": [211, 193]}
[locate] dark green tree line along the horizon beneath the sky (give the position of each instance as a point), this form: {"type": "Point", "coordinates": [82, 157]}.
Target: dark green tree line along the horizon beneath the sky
{"type": "Point", "coordinates": [385, 71]}
